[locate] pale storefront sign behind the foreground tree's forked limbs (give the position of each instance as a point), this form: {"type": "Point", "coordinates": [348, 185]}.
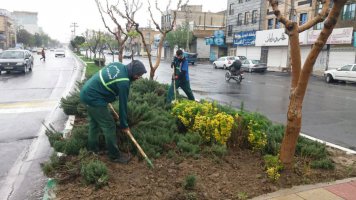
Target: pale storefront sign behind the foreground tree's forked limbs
{"type": "Point", "coordinates": [338, 36]}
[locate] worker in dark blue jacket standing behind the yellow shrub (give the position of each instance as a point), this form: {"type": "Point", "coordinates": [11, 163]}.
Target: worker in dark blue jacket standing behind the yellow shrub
{"type": "Point", "coordinates": [180, 77]}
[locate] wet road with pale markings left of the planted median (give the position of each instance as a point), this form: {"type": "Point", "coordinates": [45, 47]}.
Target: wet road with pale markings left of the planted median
{"type": "Point", "coordinates": [27, 100]}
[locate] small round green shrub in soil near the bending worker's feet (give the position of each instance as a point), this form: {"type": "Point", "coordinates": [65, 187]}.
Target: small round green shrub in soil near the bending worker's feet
{"type": "Point", "coordinates": [95, 172]}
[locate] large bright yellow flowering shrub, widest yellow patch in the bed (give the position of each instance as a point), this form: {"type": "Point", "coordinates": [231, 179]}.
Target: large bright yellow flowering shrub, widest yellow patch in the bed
{"type": "Point", "coordinates": [205, 119]}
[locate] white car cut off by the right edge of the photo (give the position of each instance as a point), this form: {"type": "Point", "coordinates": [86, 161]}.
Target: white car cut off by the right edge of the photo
{"type": "Point", "coordinates": [344, 73]}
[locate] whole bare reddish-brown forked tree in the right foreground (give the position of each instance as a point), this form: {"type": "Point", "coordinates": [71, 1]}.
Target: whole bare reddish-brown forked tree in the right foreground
{"type": "Point", "coordinates": [300, 75]}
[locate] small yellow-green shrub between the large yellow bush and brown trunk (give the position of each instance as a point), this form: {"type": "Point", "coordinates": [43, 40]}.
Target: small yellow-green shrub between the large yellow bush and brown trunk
{"type": "Point", "coordinates": [256, 136]}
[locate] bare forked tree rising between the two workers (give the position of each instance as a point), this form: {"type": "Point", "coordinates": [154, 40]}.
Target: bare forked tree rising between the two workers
{"type": "Point", "coordinates": [163, 31]}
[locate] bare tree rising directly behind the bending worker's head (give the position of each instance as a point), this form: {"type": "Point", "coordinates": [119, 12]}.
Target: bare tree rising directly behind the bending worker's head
{"type": "Point", "coordinates": [114, 13]}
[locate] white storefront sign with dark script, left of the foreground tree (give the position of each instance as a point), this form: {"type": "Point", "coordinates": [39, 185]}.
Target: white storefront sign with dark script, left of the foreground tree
{"type": "Point", "coordinates": [274, 37]}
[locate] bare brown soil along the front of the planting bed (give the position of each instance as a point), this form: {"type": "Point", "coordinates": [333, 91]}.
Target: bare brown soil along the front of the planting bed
{"type": "Point", "coordinates": [238, 175]}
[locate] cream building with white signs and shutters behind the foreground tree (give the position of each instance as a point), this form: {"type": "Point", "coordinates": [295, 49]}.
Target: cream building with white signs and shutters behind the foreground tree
{"type": "Point", "coordinates": [274, 42]}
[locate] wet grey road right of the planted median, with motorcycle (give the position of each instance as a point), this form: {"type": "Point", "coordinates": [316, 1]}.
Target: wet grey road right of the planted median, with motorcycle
{"type": "Point", "coordinates": [328, 109]}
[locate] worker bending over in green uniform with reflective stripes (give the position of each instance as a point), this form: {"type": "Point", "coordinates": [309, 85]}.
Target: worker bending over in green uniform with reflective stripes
{"type": "Point", "coordinates": [110, 83]}
